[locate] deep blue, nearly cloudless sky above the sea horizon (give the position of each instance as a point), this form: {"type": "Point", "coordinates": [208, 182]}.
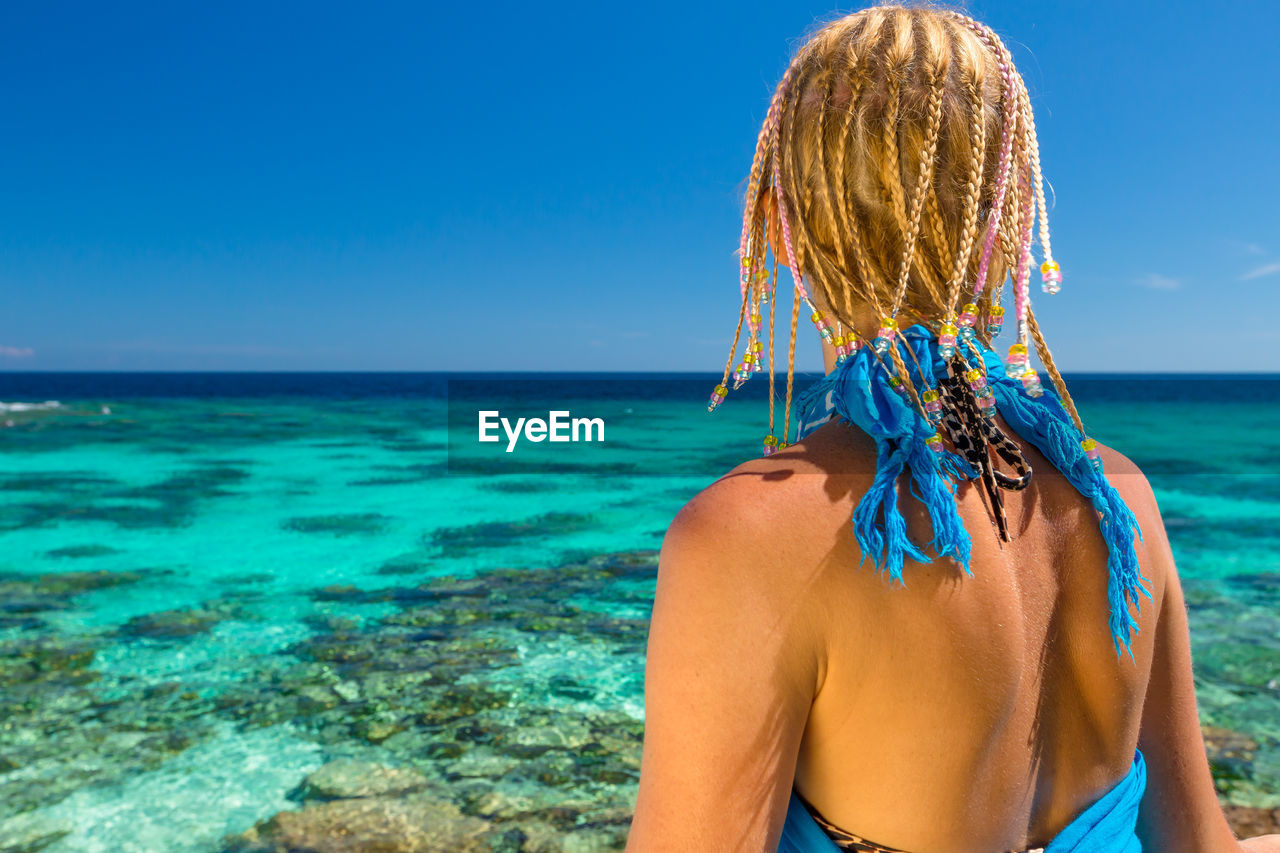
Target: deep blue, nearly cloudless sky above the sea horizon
{"type": "Point", "coordinates": [417, 186]}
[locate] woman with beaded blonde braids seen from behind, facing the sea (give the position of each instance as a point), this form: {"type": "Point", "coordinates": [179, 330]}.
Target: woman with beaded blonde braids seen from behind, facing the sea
{"type": "Point", "coordinates": [999, 685]}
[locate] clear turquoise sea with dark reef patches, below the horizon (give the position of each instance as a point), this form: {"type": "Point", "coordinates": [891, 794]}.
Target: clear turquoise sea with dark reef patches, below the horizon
{"type": "Point", "coordinates": [211, 589]}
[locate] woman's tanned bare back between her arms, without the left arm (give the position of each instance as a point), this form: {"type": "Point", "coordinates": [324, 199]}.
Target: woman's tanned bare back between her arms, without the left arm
{"type": "Point", "coordinates": [993, 704]}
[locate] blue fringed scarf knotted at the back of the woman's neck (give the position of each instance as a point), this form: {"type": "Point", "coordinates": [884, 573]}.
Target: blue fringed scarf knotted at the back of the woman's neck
{"type": "Point", "coordinates": [858, 391]}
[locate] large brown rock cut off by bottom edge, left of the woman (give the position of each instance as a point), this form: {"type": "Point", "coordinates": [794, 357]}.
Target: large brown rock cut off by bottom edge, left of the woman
{"type": "Point", "coordinates": [414, 824]}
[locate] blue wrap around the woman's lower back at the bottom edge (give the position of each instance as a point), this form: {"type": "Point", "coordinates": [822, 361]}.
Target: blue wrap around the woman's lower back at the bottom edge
{"type": "Point", "coordinates": [1107, 827]}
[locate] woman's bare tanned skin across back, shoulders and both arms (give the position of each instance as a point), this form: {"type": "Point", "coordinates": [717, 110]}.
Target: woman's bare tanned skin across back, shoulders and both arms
{"type": "Point", "coordinates": [953, 715]}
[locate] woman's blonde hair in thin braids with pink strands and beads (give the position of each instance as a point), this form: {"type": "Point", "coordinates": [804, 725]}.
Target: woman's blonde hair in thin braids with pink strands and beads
{"type": "Point", "coordinates": [900, 157]}
